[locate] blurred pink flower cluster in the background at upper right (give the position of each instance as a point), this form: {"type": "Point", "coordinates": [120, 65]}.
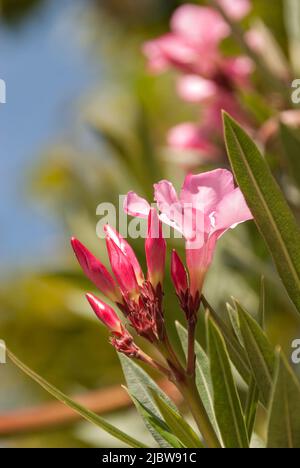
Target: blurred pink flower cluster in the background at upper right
{"type": "Point", "coordinates": [207, 77]}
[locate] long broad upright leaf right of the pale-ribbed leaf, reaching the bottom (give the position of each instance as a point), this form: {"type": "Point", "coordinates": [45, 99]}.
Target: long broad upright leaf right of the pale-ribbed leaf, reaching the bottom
{"type": "Point", "coordinates": [227, 404]}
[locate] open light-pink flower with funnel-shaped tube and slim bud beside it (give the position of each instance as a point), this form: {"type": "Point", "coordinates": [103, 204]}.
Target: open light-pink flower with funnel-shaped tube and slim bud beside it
{"type": "Point", "coordinates": [208, 205]}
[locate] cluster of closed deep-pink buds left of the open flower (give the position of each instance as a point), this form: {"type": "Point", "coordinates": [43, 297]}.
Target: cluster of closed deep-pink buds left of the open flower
{"type": "Point", "coordinates": [138, 298]}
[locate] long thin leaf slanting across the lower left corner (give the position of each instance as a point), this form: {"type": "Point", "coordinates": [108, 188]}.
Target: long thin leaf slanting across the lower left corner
{"type": "Point", "coordinates": [84, 412]}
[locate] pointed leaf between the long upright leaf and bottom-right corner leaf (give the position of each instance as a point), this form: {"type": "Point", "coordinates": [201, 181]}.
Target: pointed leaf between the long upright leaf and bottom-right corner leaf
{"type": "Point", "coordinates": [260, 353]}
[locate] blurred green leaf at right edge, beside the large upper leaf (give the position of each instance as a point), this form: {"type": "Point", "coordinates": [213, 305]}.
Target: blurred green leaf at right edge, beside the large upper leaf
{"type": "Point", "coordinates": [291, 148]}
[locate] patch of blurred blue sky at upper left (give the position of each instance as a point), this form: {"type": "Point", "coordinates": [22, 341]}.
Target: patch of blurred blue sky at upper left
{"type": "Point", "coordinates": [45, 71]}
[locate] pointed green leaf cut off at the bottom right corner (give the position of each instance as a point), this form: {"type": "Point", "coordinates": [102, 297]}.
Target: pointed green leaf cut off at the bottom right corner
{"type": "Point", "coordinates": [284, 410]}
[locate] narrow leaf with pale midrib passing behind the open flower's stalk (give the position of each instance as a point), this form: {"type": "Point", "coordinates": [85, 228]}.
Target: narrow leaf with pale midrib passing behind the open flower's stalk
{"type": "Point", "coordinates": [203, 377]}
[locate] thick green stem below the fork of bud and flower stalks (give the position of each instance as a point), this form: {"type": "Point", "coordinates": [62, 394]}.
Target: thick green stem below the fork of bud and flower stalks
{"type": "Point", "coordinates": [192, 398]}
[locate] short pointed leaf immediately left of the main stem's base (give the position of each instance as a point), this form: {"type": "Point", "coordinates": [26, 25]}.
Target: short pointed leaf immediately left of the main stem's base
{"type": "Point", "coordinates": [181, 429]}
